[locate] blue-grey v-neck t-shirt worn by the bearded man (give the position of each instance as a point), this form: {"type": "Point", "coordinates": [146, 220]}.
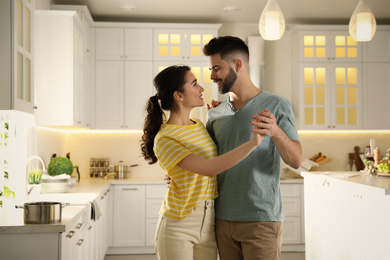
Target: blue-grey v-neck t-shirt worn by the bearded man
{"type": "Point", "coordinates": [250, 190]}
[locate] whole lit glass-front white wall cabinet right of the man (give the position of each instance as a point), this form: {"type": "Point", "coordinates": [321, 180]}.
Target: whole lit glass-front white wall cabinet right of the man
{"type": "Point", "coordinates": [328, 78]}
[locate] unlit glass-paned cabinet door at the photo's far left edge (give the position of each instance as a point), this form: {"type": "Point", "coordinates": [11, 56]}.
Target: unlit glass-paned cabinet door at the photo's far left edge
{"type": "Point", "coordinates": [23, 87]}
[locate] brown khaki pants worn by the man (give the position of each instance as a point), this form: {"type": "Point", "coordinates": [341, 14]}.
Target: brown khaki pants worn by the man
{"type": "Point", "coordinates": [238, 240]}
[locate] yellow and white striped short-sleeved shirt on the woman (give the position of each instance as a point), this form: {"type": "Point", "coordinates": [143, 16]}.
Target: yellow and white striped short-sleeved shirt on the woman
{"type": "Point", "coordinates": [172, 144]}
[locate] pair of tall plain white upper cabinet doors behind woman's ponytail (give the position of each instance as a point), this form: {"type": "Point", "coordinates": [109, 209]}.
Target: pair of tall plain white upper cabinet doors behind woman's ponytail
{"type": "Point", "coordinates": [122, 89]}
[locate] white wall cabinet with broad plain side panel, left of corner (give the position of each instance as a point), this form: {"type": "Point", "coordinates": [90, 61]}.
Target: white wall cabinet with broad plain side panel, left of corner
{"type": "Point", "coordinates": [62, 69]}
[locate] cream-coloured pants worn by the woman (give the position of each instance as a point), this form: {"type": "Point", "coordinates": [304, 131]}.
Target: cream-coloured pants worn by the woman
{"type": "Point", "coordinates": [192, 238]}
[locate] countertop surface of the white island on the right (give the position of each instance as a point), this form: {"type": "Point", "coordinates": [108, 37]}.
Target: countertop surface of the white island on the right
{"type": "Point", "coordinates": [375, 181]}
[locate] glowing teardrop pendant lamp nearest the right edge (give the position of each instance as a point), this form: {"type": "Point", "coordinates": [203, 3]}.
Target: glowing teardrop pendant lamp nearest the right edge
{"type": "Point", "coordinates": [362, 25]}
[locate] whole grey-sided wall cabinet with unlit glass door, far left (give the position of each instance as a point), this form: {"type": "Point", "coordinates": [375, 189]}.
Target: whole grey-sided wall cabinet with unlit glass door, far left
{"type": "Point", "coordinates": [17, 55]}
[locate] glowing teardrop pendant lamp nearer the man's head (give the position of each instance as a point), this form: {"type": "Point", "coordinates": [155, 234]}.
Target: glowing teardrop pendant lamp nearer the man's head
{"type": "Point", "coordinates": [271, 23]}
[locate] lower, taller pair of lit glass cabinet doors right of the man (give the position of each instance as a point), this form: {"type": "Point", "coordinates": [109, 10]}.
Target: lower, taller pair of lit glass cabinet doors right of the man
{"type": "Point", "coordinates": [331, 96]}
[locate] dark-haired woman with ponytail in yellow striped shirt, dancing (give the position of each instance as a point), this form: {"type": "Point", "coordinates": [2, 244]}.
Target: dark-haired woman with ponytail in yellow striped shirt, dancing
{"type": "Point", "coordinates": [187, 153]}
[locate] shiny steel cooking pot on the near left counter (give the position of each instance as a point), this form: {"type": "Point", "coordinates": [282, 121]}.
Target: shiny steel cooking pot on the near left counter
{"type": "Point", "coordinates": [42, 212]}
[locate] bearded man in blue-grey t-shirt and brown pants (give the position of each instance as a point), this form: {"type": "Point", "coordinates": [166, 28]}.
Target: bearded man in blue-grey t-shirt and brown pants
{"type": "Point", "coordinates": [249, 207]}
